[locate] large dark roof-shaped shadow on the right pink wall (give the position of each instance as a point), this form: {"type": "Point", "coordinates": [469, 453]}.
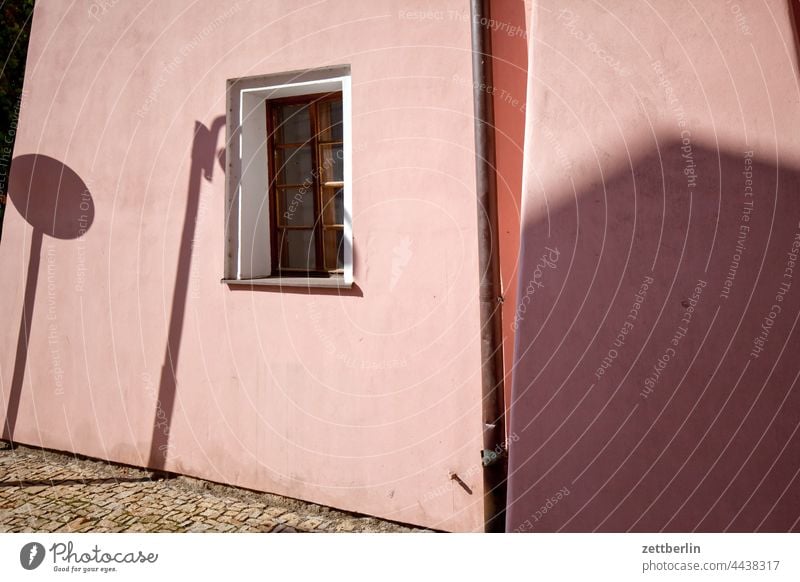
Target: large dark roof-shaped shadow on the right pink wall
{"type": "Point", "coordinates": [655, 386]}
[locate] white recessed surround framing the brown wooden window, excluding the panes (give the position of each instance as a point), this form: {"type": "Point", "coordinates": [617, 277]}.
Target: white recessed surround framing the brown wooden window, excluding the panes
{"type": "Point", "coordinates": [247, 208]}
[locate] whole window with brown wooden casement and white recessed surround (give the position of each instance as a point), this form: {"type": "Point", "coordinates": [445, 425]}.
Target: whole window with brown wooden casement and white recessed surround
{"type": "Point", "coordinates": [289, 186]}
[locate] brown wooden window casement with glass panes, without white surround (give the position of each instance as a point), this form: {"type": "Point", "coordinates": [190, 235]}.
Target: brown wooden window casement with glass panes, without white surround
{"type": "Point", "coordinates": [306, 157]}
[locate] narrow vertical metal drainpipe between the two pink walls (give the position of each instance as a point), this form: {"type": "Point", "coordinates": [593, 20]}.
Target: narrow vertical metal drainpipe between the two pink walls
{"type": "Point", "coordinates": [495, 467]}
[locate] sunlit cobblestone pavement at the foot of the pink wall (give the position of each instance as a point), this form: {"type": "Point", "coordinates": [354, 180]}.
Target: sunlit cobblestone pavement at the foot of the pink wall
{"type": "Point", "coordinates": [42, 491]}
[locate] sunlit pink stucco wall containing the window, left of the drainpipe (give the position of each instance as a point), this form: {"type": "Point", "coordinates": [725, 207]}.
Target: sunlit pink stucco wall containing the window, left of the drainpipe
{"type": "Point", "coordinates": [365, 400]}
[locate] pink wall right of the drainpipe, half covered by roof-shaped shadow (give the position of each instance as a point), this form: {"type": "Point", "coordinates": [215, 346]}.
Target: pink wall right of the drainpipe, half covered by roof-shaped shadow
{"type": "Point", "coordinates": [656, 384]}
